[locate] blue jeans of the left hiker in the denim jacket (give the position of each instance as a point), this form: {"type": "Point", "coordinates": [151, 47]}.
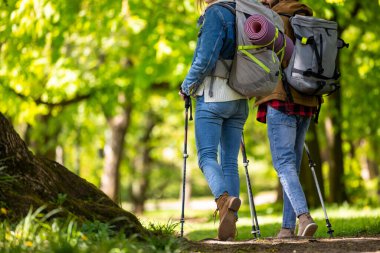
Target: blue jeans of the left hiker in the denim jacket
{"type": "Point", "coordinates": [220, 124]}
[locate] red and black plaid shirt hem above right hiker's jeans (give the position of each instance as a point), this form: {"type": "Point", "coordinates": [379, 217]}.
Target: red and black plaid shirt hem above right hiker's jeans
{"type": "Point", "coordinates": [285, 107]}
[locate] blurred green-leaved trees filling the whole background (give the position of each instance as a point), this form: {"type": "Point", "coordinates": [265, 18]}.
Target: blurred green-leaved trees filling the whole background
{"type": "Point", "coordinates": [93, 85]}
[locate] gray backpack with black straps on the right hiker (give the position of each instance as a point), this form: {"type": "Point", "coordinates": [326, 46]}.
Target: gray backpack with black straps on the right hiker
{"type": "Point", "coordinates": [312, 67]}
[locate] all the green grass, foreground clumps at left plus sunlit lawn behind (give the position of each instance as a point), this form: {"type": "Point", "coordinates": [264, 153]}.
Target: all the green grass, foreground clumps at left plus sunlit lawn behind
{"type": "Point", "coordinates": [37, 233]}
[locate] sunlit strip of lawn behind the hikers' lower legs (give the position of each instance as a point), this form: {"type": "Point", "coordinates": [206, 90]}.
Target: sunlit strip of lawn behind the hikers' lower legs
{"type": "Point", "coordinates": [346, 221]}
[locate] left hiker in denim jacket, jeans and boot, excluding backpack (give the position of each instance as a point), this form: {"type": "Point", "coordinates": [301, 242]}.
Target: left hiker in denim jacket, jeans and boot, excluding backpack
{"type": "Point", "coordinates": [220, 113]}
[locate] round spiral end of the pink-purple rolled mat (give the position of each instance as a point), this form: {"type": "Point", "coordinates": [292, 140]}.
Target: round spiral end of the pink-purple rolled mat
{"type": "Point", "coordinates": [259, 29]}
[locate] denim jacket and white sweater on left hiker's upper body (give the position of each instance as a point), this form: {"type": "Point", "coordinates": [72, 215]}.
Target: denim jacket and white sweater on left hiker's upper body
{"type": "Point", "coordinates": [216, 40]}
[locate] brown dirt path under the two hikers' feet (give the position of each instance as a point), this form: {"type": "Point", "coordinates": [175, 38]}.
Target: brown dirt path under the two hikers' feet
{"type": "Point", "coordinates": [335, 245]}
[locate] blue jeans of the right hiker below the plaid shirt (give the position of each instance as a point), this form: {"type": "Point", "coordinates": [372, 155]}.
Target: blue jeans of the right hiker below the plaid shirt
{"type": "Point", "coordinates": [286, 136]}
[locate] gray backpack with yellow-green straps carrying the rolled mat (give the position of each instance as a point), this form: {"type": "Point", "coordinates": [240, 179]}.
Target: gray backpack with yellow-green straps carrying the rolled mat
{"type": "Point", "coordinates": [255, 69]}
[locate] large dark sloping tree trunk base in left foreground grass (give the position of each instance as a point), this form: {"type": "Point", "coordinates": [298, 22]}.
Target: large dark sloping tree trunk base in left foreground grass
{"type": "Point", "coordinates": [29, 181]}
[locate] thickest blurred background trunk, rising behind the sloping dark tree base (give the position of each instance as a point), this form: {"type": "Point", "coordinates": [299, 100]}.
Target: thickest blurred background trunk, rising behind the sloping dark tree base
{"type": "Point", "coordinates": [113, 152]}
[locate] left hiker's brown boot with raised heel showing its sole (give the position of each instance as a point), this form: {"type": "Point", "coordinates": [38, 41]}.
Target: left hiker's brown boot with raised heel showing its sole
{"type": "Point", "coordinates": [227, 207]}
